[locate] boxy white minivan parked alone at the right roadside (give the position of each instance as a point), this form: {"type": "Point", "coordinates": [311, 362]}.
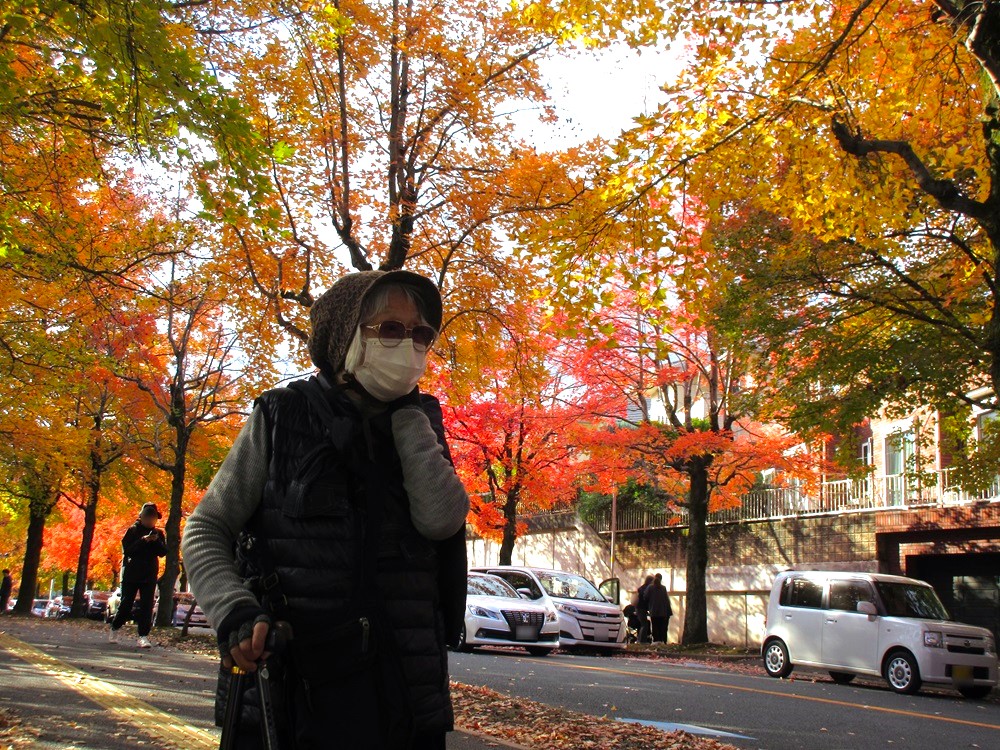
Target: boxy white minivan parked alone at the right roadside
{"type": "Point", "coordinates": [874, 624]}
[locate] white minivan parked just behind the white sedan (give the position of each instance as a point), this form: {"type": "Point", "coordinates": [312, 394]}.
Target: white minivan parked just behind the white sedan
{"type": "Point", "coordinates": [588, 615]}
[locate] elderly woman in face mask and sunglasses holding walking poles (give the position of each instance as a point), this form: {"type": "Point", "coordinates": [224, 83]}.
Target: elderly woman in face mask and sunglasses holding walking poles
{"type": "Point", "coordinates": [338, 511]}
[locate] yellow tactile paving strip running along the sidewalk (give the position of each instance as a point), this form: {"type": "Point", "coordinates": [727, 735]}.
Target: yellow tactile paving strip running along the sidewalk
{"type": "Point", "coordinates": [160, 725]}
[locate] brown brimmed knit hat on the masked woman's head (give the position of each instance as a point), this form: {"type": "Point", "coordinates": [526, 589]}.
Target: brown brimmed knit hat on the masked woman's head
{"type": "Point", "coordinates": [336, 314]}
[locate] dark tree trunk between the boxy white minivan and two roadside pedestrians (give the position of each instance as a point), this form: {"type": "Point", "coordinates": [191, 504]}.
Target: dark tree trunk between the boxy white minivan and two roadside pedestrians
{"type": "Point", "coordinates": [695, 607]}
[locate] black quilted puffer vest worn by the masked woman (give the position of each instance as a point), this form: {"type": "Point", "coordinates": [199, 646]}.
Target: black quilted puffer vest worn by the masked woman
{"type": "Point", "coordinates": [359, 585]}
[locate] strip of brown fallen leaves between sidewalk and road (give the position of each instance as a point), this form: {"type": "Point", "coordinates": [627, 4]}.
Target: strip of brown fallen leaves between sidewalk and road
{"type": "Point", "coordinates": [540, 727]}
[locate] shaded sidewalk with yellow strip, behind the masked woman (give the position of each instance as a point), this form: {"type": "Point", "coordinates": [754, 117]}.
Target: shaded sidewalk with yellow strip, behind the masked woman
{"type": "Point", "coordinates": [69, 687]}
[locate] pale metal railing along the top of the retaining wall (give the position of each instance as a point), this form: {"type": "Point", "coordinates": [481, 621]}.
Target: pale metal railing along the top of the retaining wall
{"type": "Point", "coordinates": [841, 496]}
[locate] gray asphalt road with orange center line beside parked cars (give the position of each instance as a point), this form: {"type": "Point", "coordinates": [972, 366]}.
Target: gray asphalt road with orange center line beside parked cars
{"type": "Point", "coordinates": [808, 713]}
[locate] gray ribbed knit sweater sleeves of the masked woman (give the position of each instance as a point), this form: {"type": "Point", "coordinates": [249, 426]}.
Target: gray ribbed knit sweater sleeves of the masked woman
{"type": "Point", "coordinates": [438, 504]}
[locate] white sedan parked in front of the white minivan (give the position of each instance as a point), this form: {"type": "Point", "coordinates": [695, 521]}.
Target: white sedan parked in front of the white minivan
{"type": "Point", "coordinates": [496, 615]}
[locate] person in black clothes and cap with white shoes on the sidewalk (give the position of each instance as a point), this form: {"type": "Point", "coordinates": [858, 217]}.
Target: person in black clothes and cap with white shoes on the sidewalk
{"type": "Point", "coordinates": [142, 546]}
